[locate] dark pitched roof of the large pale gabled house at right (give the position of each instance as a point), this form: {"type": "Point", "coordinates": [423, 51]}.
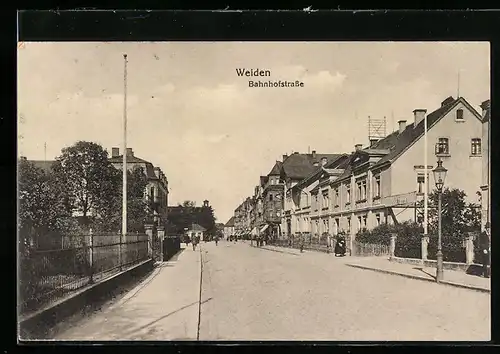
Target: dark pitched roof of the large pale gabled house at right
{"type": "Point", "coordinates": [398, 143]}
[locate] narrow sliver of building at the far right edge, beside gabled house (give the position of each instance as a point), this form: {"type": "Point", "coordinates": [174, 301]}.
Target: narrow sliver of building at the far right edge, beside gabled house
{"type": "Point", "coordinates": [486, 154]}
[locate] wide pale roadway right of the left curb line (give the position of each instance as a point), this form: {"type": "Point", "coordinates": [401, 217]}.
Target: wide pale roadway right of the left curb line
{"type": "Point", "coordinates": [270, 295]}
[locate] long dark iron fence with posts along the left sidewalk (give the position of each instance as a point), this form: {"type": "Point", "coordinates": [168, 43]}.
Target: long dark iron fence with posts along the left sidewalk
{"type": "Point", "coordinates": [47, 275]}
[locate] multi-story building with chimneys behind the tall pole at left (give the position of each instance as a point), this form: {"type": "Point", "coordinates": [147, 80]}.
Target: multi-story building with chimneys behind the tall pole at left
{"type": "Point", "coordinates": [157, 188]}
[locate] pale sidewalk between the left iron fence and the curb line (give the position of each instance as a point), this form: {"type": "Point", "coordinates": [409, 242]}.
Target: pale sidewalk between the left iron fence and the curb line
{"type": "Point", "coordinates": [164, 306]}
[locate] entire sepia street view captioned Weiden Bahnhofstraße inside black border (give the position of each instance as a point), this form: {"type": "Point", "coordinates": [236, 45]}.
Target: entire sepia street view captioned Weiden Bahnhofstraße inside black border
{"type": "Point", "coordinates": [254, 191]}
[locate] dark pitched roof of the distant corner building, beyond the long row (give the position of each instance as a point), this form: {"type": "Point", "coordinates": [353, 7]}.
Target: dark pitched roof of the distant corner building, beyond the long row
{"type": "Point", "coordinates": [300, 166]}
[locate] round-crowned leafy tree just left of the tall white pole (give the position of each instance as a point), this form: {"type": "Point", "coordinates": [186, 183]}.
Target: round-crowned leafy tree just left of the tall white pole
{"type": "Point", "coordinates": [88, 178]}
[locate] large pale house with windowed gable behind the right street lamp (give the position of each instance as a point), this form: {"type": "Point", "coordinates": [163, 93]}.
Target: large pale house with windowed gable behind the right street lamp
{"type": "Point", "coordinates": [385, 181]}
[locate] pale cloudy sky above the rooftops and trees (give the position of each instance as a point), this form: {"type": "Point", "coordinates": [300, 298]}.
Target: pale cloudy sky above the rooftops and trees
{"type": "Point", "coordinates": [190, 114]}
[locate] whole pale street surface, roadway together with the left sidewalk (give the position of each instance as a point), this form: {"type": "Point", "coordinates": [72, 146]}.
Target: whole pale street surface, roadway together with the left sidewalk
{"type": "Point", "coordinates": [251, 293]}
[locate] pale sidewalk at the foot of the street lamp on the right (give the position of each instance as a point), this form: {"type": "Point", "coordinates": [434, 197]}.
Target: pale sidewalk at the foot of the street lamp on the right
{"type": "Point", "coordinates": [450, 277]}
